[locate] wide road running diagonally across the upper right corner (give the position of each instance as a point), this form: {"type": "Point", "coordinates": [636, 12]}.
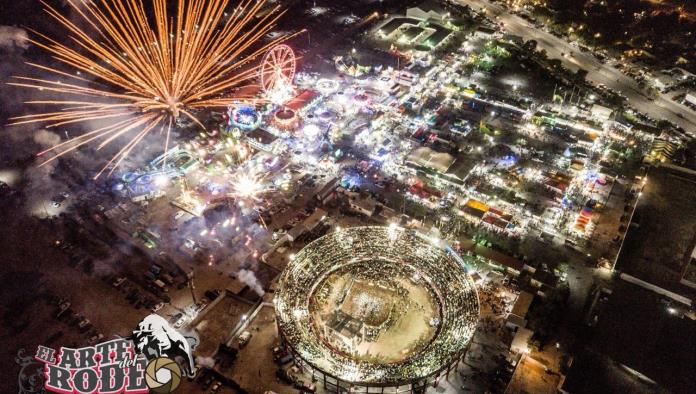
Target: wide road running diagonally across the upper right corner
{"type": "Point", "coordinates": [660, 108]}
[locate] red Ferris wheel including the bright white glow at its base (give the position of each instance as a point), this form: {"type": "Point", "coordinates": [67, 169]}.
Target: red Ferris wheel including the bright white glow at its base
{"type": "Point", "coordinates": [277, 73]}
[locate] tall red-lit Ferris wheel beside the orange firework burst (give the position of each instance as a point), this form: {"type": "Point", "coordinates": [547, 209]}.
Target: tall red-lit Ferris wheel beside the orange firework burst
{"type": "Point", "coordinates": [277, 68]}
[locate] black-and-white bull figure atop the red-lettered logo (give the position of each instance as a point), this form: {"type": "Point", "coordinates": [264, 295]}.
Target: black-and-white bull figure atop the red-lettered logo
{"type": "Point", "coordinates": [155, 338]}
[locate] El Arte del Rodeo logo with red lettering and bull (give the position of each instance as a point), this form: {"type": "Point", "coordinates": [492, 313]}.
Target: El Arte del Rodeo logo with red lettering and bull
{"type": "Point", "coordinates": [152, 359]}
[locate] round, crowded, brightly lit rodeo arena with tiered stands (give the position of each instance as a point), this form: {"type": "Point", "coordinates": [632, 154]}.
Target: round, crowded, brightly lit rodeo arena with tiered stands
{"type": "Point", "coordinates": [376, 307]}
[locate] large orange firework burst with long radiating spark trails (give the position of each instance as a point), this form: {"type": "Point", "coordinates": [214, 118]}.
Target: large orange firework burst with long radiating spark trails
{"type": "Point", "coordinates": [151, 74]}
